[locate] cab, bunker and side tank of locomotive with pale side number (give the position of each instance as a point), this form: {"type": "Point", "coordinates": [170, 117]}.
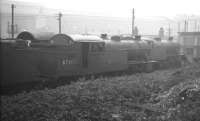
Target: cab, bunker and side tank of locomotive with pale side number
{"type": "Point", "coordinates": [73, 55]}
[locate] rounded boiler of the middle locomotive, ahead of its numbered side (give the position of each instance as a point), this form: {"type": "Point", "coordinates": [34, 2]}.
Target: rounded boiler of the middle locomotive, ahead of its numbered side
{"type": "Point", "coordinates": [138, 49]}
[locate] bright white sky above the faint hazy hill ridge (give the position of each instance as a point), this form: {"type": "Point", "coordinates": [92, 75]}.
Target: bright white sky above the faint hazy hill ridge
{"type": "Point", "coordinates": [122, 8]}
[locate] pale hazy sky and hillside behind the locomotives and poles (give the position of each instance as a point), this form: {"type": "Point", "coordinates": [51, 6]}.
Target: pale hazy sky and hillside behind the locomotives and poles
{"type": "Point", "coordinates": [100, 16]}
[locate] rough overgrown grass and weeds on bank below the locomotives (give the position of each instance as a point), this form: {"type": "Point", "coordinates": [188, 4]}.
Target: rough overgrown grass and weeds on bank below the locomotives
{"type": "Point", "coordinates": [159, 96]}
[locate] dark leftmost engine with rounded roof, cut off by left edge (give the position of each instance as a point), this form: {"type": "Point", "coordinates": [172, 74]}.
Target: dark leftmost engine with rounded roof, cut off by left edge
{"type": "Point", "coordinates": [21, 59]}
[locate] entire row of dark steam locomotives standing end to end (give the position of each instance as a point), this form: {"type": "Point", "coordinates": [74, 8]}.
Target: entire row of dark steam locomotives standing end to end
{"type": "Point", "coordinates": [31, 57]}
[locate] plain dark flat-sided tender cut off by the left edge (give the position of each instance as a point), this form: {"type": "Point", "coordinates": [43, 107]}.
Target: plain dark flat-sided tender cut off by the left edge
{"type": "Point", "coordinates": [18, 62]}
